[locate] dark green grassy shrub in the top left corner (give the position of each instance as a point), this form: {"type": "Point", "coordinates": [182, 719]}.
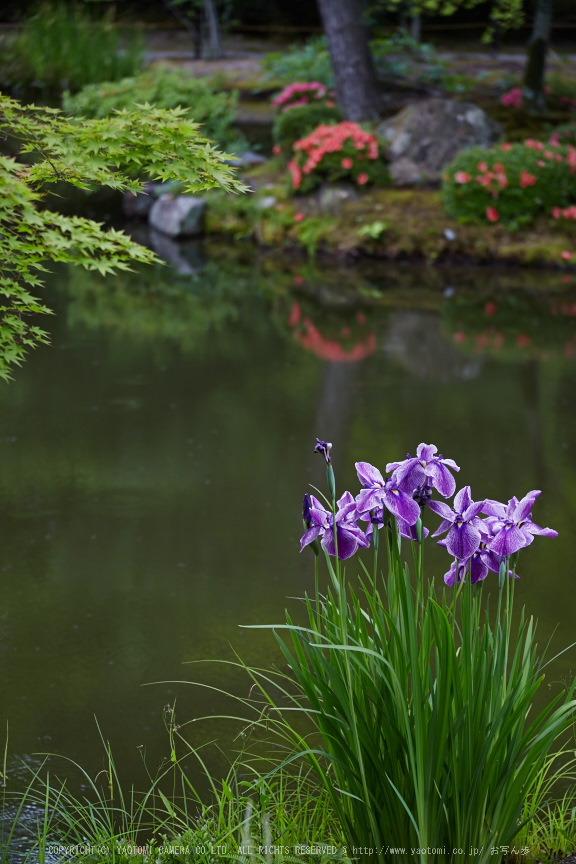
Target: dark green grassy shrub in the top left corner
{"type": "Point", "coordinates": [64, 45]}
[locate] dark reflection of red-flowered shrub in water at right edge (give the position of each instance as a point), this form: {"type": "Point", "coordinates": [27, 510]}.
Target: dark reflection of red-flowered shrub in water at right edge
{"type": "Point", "coordinates": [513, 326]}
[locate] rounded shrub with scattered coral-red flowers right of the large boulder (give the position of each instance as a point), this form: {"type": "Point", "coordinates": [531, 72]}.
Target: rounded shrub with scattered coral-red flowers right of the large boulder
{"type": "Point", "coordinates": [510, 183]}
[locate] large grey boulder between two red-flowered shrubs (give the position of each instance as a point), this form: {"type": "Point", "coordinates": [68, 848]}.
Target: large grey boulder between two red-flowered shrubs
{"type": "Point", "coordinates": [425, 137]}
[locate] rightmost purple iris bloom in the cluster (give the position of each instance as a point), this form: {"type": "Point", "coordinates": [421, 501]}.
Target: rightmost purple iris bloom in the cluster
{"type": "Point", "coordinates": [511, 526]}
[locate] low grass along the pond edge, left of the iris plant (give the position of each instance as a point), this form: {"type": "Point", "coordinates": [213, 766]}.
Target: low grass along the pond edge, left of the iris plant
{"type": "Point", "coordinates": [243, 818]}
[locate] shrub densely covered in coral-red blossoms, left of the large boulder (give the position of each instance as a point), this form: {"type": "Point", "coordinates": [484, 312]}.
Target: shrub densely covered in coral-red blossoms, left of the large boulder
{"type": "Point", "coordinates": [342, 151]}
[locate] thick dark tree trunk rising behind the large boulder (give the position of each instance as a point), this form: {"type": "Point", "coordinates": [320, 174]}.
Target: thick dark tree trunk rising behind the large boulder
{"type": "Point", "coordinates": [356, 86]}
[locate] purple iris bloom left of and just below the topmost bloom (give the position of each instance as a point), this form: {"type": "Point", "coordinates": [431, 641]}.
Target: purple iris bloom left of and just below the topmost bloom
{"type": "Point", "coordinates": [392, 493]}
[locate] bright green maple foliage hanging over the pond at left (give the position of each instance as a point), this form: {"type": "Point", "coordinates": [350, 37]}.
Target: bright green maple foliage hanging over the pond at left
{"type": "Point", "coordinates": [147, 142]}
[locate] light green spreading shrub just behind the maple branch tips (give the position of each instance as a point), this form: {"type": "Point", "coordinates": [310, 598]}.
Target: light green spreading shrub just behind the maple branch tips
{"type": "Point", "coordinates": [163, 88]}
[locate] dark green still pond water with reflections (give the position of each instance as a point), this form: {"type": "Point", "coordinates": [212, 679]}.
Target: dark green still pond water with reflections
{"type": "Point", "coordinates": [153, 463]}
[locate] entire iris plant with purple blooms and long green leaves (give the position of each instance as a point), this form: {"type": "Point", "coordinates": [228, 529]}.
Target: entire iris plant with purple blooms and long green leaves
{"type": "Point", "coordinates": [421, 698]}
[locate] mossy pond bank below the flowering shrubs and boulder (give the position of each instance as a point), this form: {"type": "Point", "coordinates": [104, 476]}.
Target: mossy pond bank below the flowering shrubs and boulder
{"type": "Point", "coordinates": [393, 224]}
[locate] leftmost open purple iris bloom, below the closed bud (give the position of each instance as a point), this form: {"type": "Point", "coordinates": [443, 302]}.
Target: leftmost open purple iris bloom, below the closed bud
{"type": "Point", "coordinates": [348, 535]}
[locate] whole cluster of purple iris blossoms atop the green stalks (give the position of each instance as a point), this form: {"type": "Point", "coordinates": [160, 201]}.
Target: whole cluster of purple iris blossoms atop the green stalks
{"type": "Point", "coordinates": [477, 545]}
